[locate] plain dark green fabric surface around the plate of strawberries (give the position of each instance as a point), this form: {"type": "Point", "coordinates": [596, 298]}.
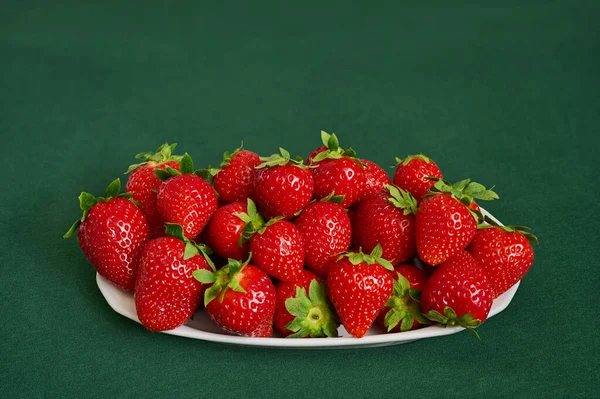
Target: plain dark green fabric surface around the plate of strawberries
{"type": "Point", "coordinates": [503, 92]}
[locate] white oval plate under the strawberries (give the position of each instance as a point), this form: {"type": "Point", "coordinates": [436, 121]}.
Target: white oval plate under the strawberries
{"type": "Point", "coordinates": [203, 328]}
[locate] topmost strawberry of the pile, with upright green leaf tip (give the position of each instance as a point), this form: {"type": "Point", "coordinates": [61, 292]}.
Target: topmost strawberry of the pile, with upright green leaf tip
{"type": "Point", "coordinates": [337, 172]}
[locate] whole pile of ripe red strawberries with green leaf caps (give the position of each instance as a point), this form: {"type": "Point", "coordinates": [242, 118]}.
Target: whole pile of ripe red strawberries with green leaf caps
{"type": "Point", "coordinates": [264, 242]}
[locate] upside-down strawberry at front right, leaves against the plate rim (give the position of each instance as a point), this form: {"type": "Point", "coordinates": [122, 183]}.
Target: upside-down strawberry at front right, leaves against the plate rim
{"type": "Point", "coordinates": [458, 293]}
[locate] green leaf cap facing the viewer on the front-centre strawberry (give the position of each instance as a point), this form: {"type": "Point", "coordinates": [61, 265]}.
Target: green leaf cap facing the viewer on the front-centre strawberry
{"type": "Point", "coordinates": [313, 315]}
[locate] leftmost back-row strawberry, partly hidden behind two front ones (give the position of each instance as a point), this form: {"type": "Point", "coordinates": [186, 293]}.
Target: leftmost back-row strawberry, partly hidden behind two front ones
{"type": "Point", "coordinates": [143, 183]}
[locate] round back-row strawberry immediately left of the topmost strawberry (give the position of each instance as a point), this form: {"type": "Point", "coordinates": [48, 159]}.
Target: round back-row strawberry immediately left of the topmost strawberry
{"type": "Point", "coordinates": [282, 186]}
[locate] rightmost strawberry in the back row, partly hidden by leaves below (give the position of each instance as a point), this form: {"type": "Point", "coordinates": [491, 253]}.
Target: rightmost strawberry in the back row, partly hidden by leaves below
{"type": "Point", "coordinates": [411, 174]}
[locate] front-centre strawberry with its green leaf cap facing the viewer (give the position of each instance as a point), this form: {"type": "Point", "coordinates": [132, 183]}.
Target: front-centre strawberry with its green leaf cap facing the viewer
{"type": "Point", "coordinates": [303, 309]}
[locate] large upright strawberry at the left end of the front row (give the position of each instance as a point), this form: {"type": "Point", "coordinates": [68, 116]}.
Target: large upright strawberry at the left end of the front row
{"type": "Point", "coordinates": [166, 294]}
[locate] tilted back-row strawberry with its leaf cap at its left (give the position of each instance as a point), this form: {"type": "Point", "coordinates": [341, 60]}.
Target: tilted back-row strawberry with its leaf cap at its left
{"type": "Point", "coordinates": [234, 179]}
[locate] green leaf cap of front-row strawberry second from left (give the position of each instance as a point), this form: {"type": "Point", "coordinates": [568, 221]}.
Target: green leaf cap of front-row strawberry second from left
{"type": "Point", "coordinates": [223, 279]}
